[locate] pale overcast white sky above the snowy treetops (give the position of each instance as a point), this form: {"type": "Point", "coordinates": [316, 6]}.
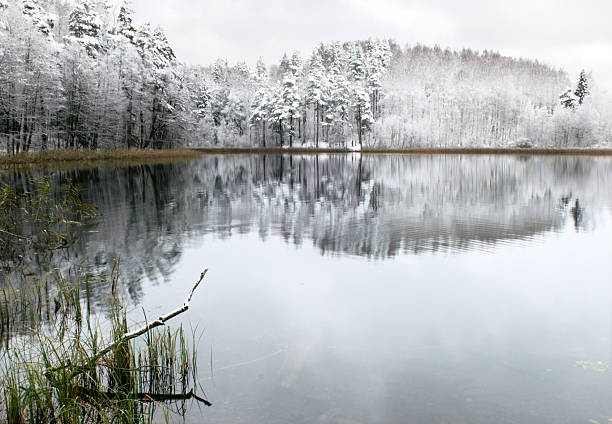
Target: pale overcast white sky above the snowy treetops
{"type": "Point", "coordinates": [568, 34]}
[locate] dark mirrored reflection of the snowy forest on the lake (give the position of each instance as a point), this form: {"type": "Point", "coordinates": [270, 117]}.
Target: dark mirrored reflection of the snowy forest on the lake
{"type": "Point", "coordinates": [377, 206]}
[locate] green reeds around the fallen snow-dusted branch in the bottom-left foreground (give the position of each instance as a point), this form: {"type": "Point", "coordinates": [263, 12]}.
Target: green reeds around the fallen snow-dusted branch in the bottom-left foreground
{"type": "Point", "coordinates": [53, 367]}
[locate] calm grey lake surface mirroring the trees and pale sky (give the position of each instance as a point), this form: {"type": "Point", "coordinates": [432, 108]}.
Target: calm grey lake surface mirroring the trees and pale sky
{"type": "Point", "coordinates": [376, 289]}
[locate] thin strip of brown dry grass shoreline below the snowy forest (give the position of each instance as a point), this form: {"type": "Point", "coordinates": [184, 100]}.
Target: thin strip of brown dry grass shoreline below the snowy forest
{"type": "Point", "coordinates": [136, 156]}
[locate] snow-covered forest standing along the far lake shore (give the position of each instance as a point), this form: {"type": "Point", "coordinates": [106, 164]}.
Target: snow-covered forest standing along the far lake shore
{"type": "Point", "coordinates": [84, 75]}
